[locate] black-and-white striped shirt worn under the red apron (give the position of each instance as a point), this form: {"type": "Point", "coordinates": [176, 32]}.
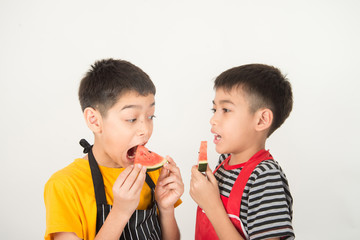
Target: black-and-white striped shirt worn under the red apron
{"type": "Point", "coordinates": [266, 205]}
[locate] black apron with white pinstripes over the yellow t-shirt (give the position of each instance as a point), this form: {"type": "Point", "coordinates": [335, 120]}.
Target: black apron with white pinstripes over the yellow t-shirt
{"type": "Point", "coordinates": [143, 224]}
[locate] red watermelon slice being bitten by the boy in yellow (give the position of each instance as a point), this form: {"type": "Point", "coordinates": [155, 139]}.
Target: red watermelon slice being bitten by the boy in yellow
{"type": "Point", "coordinates": [150, 160]}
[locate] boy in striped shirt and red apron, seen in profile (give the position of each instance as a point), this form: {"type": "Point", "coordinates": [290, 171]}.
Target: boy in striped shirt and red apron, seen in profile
{"type": "Point", "coordinates": [251, 102]}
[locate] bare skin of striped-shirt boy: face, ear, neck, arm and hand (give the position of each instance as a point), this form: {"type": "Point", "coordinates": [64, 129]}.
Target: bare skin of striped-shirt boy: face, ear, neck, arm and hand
{"type": "Point", "coordinates": [240, 132]}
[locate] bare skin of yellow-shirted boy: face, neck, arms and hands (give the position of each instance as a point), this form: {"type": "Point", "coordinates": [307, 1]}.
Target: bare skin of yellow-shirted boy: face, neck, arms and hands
{"type": "Point", "coordinates": [127, 124]}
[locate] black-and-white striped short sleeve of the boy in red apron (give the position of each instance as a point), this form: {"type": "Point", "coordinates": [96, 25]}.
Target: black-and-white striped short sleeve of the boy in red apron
{"type": "Point", "coordinates": [269, 212]}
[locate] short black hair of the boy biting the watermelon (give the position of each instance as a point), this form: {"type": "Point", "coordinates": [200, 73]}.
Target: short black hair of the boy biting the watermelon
{"type": "Point", "coordinates": [108, 79]}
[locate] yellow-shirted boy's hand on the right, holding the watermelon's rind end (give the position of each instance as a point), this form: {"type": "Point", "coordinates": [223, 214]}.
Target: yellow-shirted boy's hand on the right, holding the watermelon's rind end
{"type": "Point", "coordinates": [170, 186]}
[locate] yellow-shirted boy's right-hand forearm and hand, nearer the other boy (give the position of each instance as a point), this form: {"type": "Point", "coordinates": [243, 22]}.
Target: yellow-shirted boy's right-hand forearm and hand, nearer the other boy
{"type": "Point", "coordinates": [168, 190]}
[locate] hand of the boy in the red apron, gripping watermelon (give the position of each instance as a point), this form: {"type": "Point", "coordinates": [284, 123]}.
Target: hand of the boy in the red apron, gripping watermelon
{"type": "Point", "coordinates": [204, 189]}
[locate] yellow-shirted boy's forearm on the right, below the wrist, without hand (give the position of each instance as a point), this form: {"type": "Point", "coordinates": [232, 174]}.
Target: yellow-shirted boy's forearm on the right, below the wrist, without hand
{"type": "Point", "coordinates": [169, 227]}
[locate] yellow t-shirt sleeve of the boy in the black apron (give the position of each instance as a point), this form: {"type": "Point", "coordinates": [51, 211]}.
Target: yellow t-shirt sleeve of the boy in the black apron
{"type": "Point", "coordinates": [61, 209]}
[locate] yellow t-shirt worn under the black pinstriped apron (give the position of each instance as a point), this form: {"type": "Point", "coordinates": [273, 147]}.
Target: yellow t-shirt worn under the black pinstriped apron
{"type": "Point", "coordinates": [70, 198]}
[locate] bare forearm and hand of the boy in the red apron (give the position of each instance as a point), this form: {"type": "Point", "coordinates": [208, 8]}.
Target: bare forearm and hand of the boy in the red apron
{"type": "Point", "coordinates": [205, 192]}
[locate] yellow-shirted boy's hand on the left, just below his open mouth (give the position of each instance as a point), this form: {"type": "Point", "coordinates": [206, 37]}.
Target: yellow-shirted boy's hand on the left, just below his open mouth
{"type": "Point", "coordinates": [127, 189]}
